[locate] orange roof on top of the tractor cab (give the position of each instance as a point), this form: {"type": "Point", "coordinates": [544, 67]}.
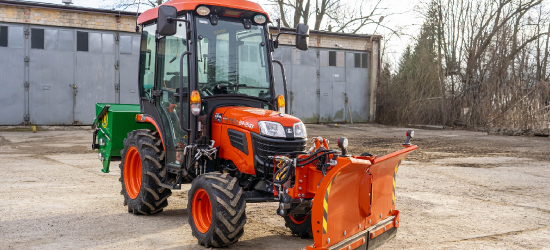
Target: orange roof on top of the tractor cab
{"type": "Point", "coordinates": [182, 5]}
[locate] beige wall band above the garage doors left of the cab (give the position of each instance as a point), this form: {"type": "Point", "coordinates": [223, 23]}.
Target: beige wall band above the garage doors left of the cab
{"type": "Point", "coordinates": [61, 17]}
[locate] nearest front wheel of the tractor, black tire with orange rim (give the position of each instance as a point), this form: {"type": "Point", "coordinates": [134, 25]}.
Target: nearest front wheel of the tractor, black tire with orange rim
{"type": "Point", "coordinates": [216, 210]}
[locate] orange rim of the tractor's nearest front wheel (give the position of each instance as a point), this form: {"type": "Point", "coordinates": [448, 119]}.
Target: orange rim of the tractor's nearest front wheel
{"type": "Point", "coordinates": [202, 210]}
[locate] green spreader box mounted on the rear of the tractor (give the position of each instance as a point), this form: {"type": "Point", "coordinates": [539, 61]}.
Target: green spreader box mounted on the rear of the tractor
{"type": "Point", "coordinates": [112, 123]}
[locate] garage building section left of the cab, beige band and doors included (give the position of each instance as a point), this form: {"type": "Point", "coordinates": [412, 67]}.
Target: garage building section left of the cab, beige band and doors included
{"type": "Point", "coordinates": [57, 61]}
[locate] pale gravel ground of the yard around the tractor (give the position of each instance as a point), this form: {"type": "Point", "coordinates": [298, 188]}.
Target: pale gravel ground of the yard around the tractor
{"type": "Point", "coordinates": [460, 190]}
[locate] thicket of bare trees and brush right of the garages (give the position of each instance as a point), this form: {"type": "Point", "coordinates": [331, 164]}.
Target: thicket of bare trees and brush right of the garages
{"type": "Point", "coordinates": [492, 65]}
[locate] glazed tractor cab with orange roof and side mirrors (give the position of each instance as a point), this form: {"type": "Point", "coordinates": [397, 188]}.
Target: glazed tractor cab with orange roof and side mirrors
{"type": "Point", "coordinates": [196, 58]}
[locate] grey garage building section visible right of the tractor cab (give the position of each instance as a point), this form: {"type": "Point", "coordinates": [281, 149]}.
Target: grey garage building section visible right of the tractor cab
{"type": "Point", "coordinates": [353, 92]}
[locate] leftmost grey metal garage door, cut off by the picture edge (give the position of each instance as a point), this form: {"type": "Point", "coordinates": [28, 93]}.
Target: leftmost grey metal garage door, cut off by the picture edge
{"type": "Point", "coordinates": [12, 79]}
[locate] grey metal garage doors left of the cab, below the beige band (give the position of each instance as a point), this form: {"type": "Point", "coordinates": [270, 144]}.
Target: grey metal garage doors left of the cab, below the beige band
{"type": "Point", "coordinates": [66, 70]}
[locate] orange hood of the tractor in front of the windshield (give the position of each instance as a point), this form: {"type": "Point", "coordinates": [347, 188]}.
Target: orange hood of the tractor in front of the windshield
{"type": "Point", "coordinates": [247, 118]}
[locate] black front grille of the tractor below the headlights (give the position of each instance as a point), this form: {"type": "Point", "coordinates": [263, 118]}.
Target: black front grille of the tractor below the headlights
{"type": "Point", "coordinates": [264, 147]}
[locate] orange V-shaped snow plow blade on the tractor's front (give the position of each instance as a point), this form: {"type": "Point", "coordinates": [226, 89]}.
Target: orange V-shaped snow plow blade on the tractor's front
{"type": "Point", "coordinates": [354, 206]}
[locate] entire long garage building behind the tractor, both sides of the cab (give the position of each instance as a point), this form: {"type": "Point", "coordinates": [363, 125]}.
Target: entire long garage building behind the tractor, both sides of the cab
{"type": "Point", "coordinates": [57, 61]}
